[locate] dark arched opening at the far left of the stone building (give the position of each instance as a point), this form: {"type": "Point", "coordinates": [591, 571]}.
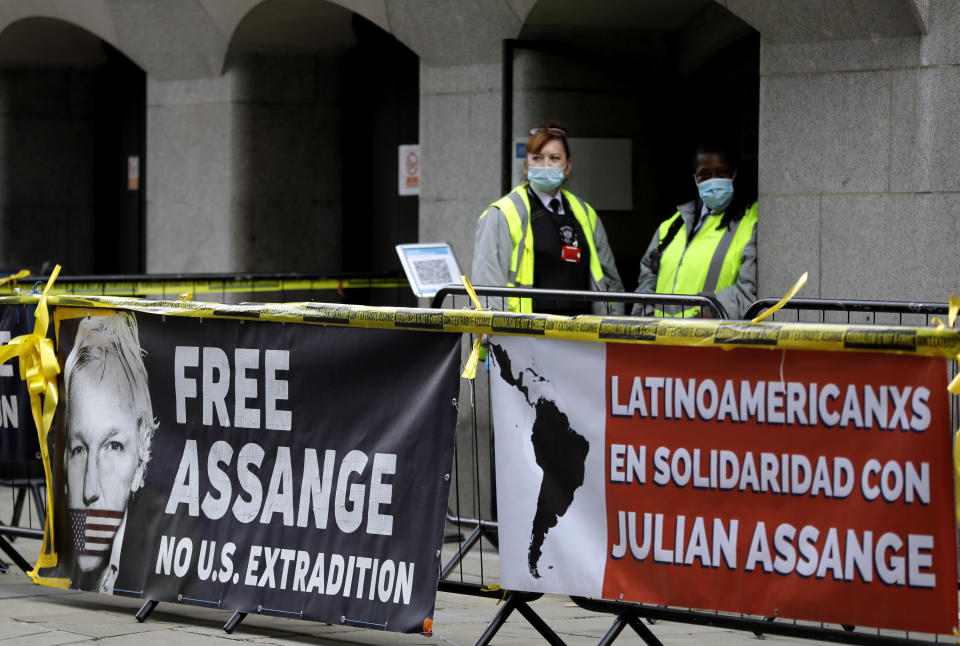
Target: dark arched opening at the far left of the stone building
{"type": "Point", "coordinates": [71, 176]}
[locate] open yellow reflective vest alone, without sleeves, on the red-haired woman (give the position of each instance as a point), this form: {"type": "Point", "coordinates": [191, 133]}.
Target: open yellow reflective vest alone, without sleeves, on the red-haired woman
{"type": "Point", "coordinates": [515, 207]}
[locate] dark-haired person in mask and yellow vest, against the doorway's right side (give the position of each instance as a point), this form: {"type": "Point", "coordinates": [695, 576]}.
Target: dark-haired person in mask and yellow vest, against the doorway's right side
{"type": "Point", "coordinates": [708, 247]}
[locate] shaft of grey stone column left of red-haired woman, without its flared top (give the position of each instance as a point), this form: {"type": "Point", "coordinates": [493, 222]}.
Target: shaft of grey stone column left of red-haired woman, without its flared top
{"type": "Point", "coordinates": [460, 117]}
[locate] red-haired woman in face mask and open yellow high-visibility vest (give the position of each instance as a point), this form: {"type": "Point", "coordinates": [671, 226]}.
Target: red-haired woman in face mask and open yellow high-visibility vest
{"type": "Point", "coordinates": [541, 235]}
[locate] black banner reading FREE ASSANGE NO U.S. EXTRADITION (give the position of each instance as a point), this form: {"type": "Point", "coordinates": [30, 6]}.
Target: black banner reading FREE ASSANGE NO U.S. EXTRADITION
{"type": "Point", "coordinates": [292, 470]}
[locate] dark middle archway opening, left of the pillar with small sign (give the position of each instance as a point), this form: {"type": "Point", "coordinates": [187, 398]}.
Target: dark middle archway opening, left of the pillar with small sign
{"type": "Point", "coordinates": [326, 96]}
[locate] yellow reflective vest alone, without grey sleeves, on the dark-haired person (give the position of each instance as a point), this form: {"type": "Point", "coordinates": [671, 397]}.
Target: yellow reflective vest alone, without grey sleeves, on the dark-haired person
{"type": "Point", "coordinates": [684, 267]}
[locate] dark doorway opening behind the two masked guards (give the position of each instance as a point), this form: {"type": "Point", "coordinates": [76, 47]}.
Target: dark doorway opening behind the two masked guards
{"type": "Point", "coordinates": [663, 74]}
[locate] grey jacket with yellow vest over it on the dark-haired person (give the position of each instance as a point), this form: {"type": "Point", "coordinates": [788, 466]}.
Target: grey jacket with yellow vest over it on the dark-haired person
{"type": "Point", "coordinates": [724, 257]}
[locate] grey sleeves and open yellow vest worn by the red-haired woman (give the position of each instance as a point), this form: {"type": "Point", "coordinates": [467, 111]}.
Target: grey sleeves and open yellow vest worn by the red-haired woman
{"type": "Point", "coordinates": [503, 253]}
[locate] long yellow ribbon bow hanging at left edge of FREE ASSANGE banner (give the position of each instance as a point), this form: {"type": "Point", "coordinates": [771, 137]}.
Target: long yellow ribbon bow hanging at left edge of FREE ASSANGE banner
{"type": "Point", "coordinates": [39, 369]}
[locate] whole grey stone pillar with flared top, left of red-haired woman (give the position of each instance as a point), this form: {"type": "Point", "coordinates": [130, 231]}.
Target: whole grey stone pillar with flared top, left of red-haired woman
{"type": "Point", "coordinates": [461, 149]}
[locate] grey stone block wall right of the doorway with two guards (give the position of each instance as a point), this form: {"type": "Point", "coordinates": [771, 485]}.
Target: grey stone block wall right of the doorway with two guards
{"type": "Point", "coordinates": [858, 132]}
